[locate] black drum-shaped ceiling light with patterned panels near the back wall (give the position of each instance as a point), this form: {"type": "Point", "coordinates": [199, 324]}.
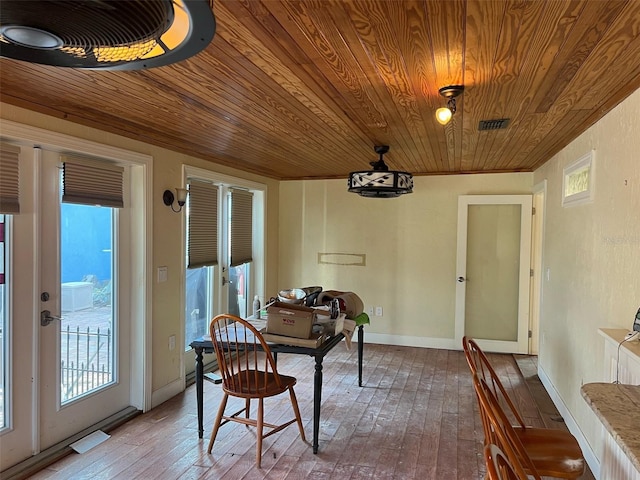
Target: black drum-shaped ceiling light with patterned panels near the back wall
{"type": "Point", "coordinates": [380, 182]}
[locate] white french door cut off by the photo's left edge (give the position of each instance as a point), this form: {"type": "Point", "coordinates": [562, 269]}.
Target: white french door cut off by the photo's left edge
{"type": "Point", "coordinates": [19, 435]}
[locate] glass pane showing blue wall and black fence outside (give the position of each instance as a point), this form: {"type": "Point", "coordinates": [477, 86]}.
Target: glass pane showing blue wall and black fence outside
{"type": "Point", "coordinates": [87, 327]}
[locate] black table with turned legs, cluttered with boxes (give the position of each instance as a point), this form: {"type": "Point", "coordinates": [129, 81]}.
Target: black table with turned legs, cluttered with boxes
{"type": "Point", "coordinates": [203, 346]}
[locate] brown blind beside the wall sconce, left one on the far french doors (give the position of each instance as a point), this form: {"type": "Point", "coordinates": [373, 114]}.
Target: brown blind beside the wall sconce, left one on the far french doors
{"type": "Point", "coordinates": [202, 237]}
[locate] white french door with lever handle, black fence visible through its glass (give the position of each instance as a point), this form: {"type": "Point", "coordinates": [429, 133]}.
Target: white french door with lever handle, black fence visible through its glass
{"type": "Point", "coordinates": [84, 353]}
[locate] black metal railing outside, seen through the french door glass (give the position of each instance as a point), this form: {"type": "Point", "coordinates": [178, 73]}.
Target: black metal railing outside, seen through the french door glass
{"type": "Point", "coordinates": [86, 361]}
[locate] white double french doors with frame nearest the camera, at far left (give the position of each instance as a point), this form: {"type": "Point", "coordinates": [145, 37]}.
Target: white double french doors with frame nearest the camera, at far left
{"type": "Point", "coordinates": [71, 357]}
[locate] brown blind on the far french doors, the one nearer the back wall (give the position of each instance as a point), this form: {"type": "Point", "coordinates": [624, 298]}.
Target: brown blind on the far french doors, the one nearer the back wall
{"type": "Point", "coordinates": [241, 227]}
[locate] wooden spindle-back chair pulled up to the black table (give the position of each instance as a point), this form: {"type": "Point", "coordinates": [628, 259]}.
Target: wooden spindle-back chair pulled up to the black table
{"type": "Point", "coordinates": [248, 371]}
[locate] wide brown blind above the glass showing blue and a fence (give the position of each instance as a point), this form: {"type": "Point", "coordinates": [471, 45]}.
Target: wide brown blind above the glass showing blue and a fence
{"type": "Point", "coordinates": [92, 182]}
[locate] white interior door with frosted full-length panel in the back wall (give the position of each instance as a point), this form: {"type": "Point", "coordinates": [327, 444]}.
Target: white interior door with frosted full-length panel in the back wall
{"type": "Point", "coordinates": [493, 271]}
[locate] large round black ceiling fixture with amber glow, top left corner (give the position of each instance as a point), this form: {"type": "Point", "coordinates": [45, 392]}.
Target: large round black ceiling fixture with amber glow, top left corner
{"type": "Point", "coordinates": [105, 34]}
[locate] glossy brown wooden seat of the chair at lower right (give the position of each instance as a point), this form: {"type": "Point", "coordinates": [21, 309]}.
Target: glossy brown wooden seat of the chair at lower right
{"type": "Point", "coordinates": [555, 453]}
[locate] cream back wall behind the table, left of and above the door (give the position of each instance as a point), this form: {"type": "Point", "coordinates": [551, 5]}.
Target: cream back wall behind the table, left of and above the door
{"type": "Point", "coordinates": [409, 243]}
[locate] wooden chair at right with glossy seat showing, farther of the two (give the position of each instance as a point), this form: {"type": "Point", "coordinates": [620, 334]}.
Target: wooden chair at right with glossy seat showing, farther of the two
{"type": "Point", "coordinates": [554, 453]}
